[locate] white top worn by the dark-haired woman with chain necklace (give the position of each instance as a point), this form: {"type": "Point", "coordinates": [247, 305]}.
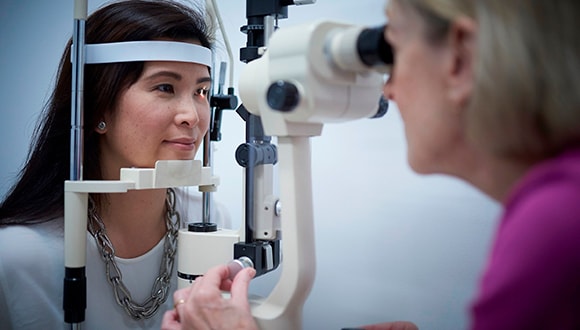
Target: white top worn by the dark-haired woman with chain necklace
{"type": "Point", "coordinates": [32, 274]}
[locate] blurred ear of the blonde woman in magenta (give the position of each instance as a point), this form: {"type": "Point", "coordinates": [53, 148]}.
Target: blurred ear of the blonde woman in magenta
{"type": "Point", "coordinates": [462, 41]}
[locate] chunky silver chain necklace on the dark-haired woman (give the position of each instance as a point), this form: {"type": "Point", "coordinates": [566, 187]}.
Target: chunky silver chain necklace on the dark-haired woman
{"type": "Point", "coordinates": [160, 289]}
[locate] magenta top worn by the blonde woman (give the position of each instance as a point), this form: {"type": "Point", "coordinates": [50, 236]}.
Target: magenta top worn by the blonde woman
{"type": "Point", "coordinates": [532, 276]}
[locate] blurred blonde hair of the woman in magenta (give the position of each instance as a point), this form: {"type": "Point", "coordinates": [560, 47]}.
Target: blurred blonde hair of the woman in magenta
{"type": "Point", "coordinates": [526, 100]}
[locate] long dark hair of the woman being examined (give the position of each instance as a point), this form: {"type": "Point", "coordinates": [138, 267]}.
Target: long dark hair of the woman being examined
{"type": "Point", "coordinates": [38, 195]}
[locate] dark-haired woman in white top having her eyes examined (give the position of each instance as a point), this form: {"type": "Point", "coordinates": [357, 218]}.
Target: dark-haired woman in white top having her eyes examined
{"type": "Point", "coordinates": [135, 113]}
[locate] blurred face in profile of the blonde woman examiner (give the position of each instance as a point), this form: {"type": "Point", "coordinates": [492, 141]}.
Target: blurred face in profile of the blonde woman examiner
{"type": "Point", "coordinates": [418, 86]}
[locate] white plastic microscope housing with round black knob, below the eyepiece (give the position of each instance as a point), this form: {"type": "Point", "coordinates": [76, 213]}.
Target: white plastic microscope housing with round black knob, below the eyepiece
{"type": "Point", "coordinates": [303, 55]}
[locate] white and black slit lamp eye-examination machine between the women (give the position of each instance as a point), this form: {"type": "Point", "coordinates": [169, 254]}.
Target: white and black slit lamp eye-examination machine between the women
{"type": "Point", "coordinates": [295, 80]}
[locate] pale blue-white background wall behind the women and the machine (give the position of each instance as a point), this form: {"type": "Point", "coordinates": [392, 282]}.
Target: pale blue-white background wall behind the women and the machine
{"type": "Point", "coordinates": [391, 245]}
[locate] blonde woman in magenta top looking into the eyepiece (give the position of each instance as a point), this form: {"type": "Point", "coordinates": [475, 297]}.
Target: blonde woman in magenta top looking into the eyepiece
{"type": "Point", "coordinates": [488, 92]}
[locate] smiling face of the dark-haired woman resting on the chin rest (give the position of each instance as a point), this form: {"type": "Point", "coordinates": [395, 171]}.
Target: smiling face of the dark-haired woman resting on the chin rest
{"type": "Point", "coordinates": [164, 115]}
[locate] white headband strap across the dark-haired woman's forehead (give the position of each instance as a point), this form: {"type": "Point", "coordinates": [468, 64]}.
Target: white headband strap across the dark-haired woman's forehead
{"type": "Point", "coordinates": [132, 51]}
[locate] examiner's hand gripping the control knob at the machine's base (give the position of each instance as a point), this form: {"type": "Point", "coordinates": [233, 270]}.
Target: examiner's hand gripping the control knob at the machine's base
{"type": "Point", "coordinates": [202, 305]}
